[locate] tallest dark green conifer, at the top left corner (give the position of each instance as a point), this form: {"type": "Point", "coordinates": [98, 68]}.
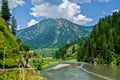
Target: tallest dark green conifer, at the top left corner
{"type": "Point", "coordinates": [5, 13]}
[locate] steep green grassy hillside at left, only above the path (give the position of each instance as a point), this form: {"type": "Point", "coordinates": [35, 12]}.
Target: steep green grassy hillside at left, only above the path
{"type": "Point", "coordinates": [8, 41]}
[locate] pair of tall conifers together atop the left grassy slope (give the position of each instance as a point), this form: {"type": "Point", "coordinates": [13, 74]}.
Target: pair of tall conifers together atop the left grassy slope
{"type": "Point", "coordinates": [10, 19]}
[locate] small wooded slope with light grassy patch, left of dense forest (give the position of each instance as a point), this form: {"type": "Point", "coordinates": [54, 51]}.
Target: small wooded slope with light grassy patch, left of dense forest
{"type": "Point", "coordinates": [70, 50]}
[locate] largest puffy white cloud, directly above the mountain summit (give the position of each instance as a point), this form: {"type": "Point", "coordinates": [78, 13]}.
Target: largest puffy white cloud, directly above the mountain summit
{"type": "Point", "coordinates": [68, 10]}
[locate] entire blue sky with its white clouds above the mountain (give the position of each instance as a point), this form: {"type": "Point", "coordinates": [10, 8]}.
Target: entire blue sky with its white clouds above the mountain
{"type": "Point", "coordinates": [82, 12]}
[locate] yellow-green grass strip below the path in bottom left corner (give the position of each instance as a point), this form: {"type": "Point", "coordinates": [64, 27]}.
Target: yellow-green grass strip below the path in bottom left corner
{"type": "Point", "coordinates": [19, 74]}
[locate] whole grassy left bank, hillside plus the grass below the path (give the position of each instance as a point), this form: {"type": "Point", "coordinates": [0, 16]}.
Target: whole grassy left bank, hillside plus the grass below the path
{"type": "Point", "coordinates": [14, 52]}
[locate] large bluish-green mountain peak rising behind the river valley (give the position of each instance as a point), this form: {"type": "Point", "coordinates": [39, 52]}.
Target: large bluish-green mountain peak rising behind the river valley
{"type": "Point", "coordinates": [52, 33]}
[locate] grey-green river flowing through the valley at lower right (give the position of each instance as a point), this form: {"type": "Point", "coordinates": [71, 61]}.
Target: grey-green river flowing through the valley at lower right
{"type": "Point", "coordinates": [75, 72]}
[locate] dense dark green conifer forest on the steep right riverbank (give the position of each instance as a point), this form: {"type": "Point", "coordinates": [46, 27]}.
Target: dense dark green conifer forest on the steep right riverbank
{"type": "Point", "coordinates": [103, 45]}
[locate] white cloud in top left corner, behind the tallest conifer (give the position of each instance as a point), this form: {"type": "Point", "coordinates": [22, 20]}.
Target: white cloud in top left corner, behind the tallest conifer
{"type": "Point", "coordinates": [14, 3]}
